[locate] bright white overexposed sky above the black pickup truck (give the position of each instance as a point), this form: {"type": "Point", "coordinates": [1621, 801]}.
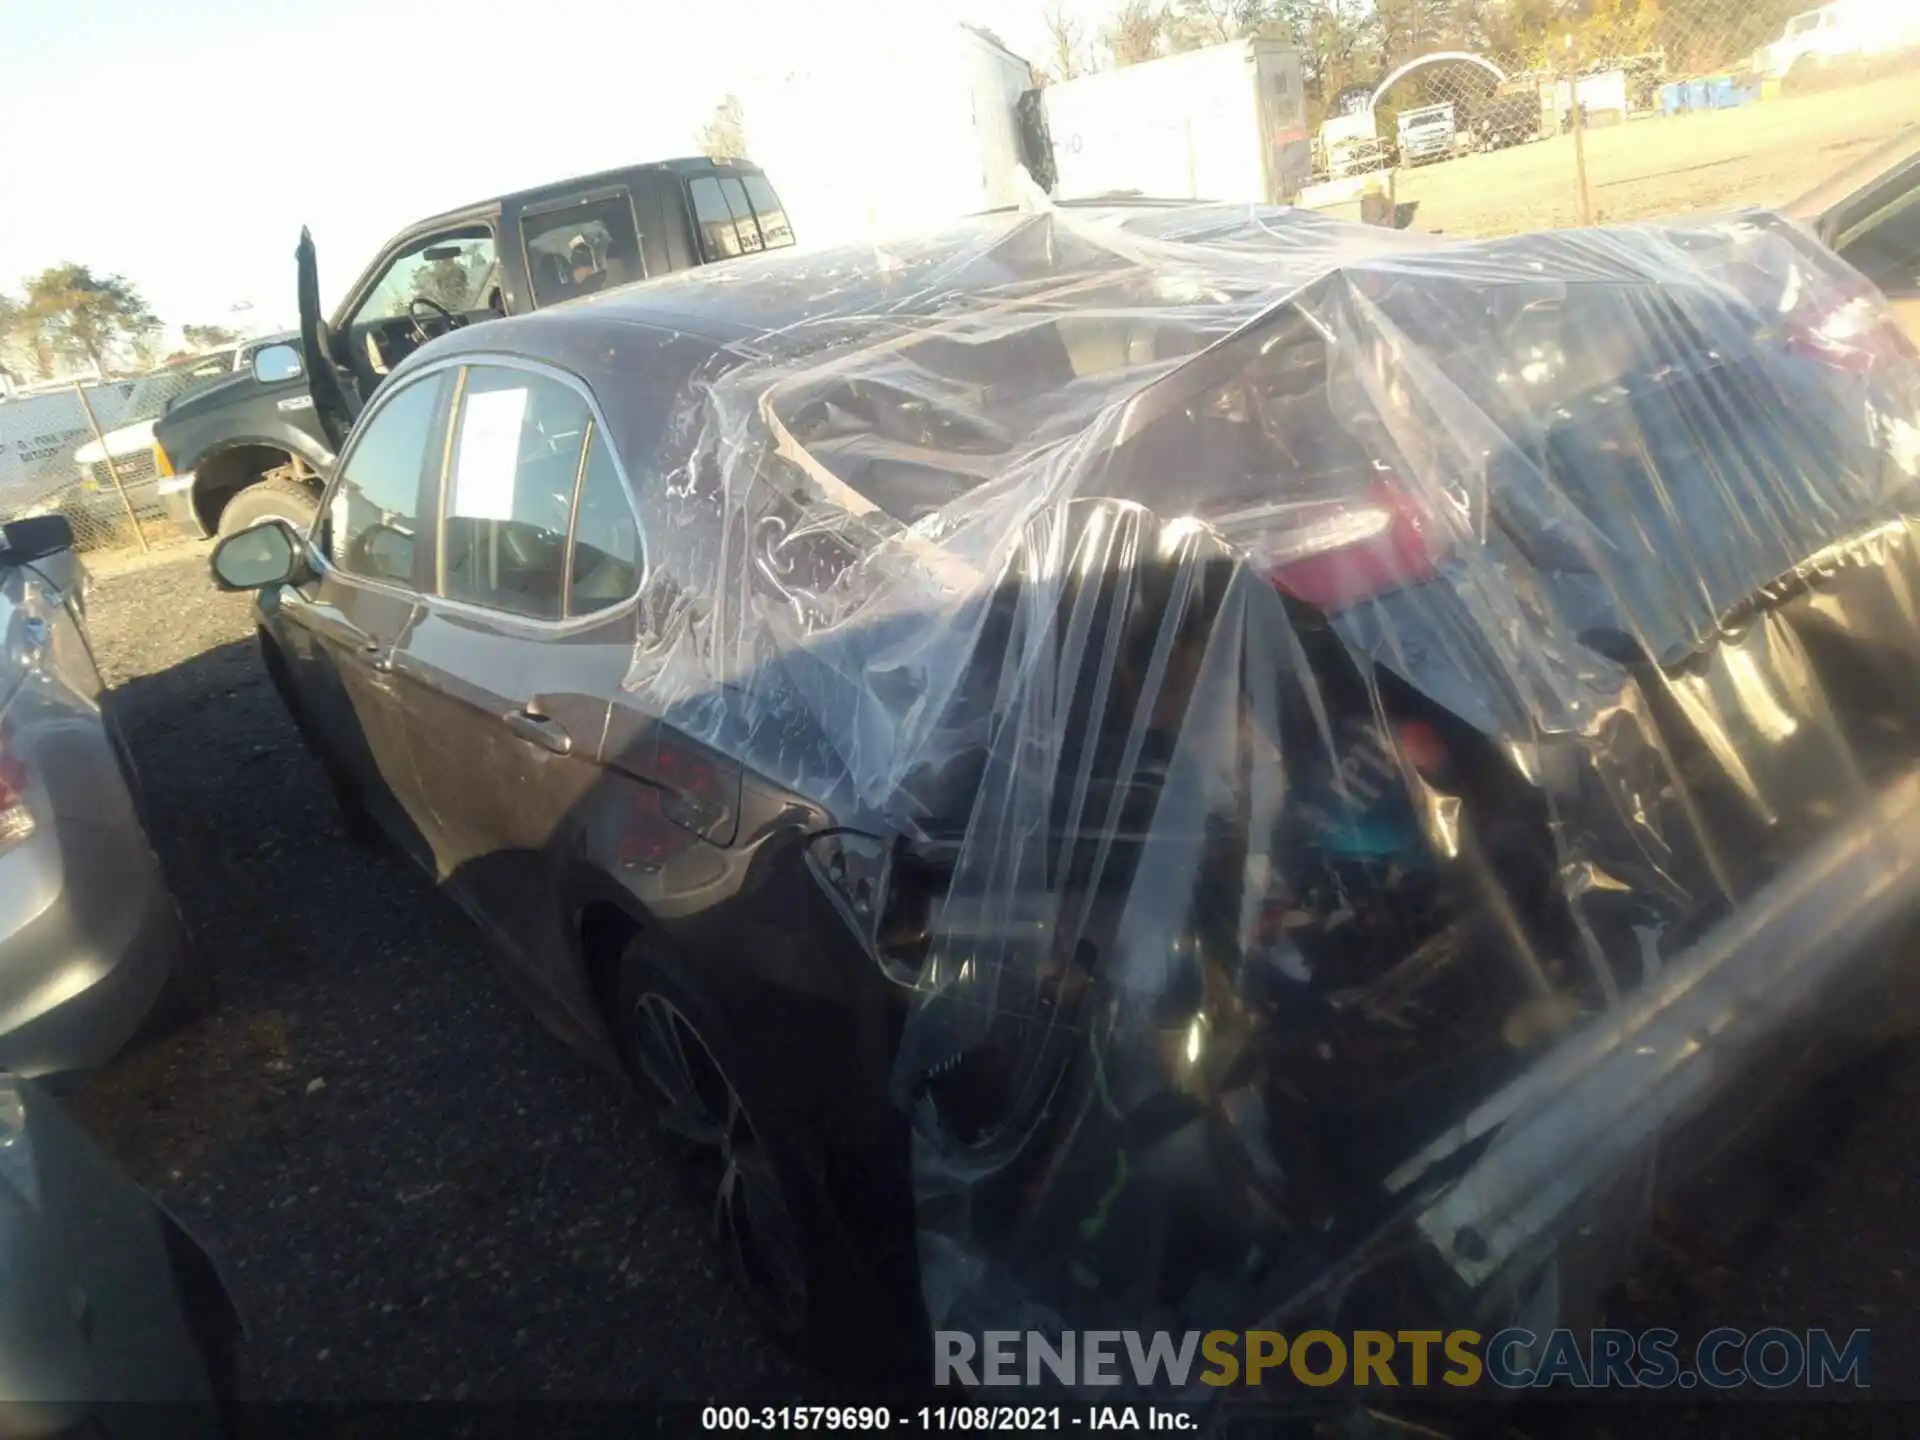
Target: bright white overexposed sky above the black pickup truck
{"type": "Point", "coordinates": [183, 143]}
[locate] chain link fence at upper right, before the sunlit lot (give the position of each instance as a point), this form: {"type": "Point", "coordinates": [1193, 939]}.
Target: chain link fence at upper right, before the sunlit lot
{"type": "Point", "coordinates": [1502, 116]}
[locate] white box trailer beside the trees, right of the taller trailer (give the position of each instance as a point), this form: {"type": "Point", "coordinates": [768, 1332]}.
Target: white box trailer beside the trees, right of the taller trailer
{"type": "Point", "coordinates": [1220, 124]}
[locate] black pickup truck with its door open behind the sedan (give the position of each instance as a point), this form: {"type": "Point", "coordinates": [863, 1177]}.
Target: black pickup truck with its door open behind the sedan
{"type": "Point", "coordinates": [254, 448]}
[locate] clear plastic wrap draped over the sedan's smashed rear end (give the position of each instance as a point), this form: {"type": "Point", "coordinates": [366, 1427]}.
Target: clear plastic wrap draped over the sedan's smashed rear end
{"type": "Point", "coordinates": [1364, 734]}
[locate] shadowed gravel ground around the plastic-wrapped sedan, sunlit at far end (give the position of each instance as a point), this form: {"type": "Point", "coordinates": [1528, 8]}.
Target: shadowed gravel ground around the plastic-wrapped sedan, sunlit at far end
{"type": "Point", "coordinates": [420, 1193]}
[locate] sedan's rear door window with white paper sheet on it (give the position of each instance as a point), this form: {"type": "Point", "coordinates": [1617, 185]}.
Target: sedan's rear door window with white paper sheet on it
{"type": "Point", "coordinates": [516, 464]}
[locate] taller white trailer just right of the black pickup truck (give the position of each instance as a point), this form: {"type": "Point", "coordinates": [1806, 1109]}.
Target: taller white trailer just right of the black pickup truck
{"type": "Point", "coordinates": [896, 133]}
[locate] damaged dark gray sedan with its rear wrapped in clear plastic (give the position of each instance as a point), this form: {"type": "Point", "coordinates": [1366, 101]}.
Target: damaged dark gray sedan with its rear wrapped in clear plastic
{"type": "Point", "coordinates": [1303, 756]}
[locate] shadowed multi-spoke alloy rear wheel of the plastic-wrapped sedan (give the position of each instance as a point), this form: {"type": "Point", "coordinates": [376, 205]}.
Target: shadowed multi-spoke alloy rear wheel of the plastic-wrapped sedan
{"type": "Point", "coordinates": [702, 1107]}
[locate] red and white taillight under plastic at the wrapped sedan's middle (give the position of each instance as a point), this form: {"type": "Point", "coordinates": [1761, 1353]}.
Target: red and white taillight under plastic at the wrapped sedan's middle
{"type": "Point", "coordinates": [1358, 550]}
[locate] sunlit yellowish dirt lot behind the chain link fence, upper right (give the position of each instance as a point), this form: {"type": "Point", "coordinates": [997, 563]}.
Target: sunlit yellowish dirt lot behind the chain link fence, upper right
{"type": "Point", "coordinates": [1762, 155]}
